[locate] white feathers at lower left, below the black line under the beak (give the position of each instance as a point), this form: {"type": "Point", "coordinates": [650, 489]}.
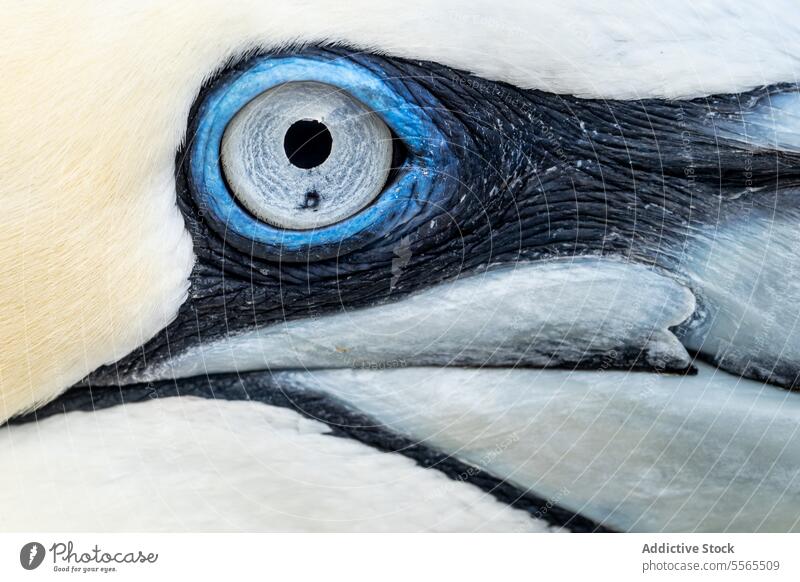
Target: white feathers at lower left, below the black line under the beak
{"type": "Point", "coordinates": [190, 464]}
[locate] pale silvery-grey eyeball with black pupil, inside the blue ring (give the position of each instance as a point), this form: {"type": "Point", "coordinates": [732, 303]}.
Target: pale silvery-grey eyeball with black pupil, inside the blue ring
{"type": "Point", "coordinates": [306, 155]}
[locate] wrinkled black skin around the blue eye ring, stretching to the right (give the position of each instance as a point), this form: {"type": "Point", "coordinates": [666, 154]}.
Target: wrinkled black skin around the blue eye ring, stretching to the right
{"type": "Point", "coordinates": [541, 176]}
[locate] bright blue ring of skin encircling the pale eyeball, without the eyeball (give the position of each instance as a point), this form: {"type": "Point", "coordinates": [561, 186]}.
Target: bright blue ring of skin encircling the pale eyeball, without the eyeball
{"type": "Point", "coordinates": [395, 208]}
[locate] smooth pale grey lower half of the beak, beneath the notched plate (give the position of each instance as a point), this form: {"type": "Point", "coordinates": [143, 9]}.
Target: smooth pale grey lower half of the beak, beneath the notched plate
{"type": "Point", "coordinates": [634, 451]}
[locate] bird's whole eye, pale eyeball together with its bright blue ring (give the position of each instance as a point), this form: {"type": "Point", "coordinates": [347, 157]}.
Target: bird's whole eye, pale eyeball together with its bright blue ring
{"type": "Point", "coordinates": [308, 157]}
